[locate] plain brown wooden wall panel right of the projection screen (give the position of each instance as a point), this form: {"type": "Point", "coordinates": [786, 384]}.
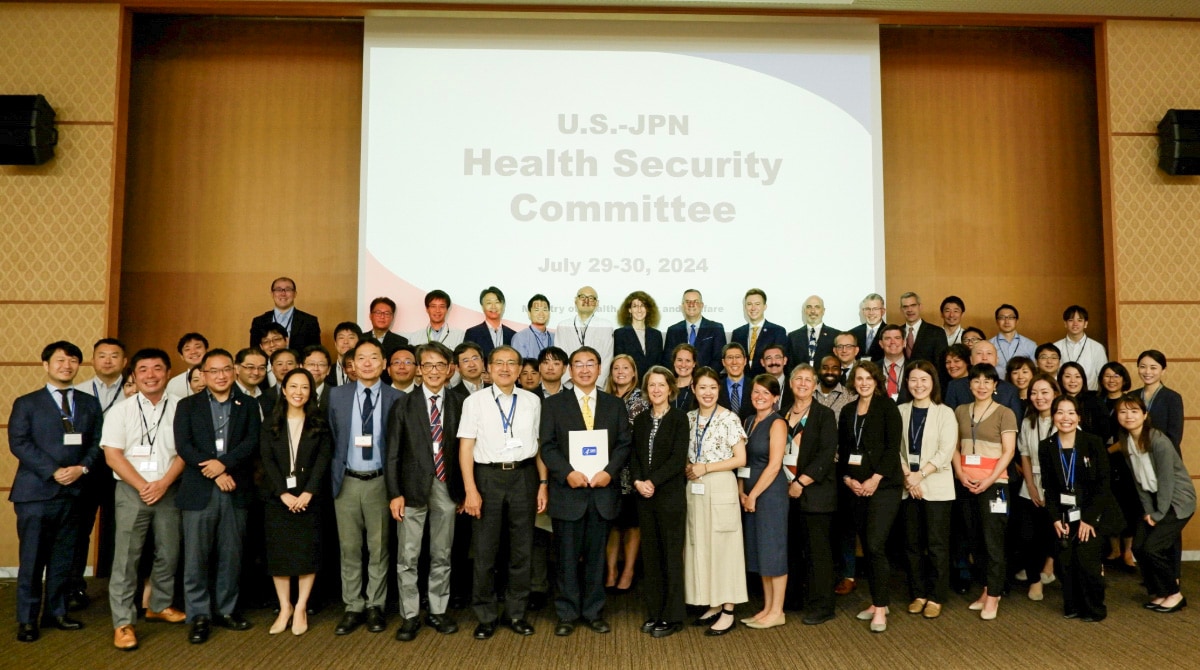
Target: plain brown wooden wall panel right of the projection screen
{"type": "Point", "coordinates": [992, 187]}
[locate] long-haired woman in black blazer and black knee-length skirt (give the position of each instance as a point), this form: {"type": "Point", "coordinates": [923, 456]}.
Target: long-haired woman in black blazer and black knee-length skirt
{"type": "Point", "coordinates": [297, 450]}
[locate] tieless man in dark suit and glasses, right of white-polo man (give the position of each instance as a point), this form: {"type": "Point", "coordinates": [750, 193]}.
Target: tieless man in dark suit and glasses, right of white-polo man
{"type": "Point", "coordinates": [217, 436]}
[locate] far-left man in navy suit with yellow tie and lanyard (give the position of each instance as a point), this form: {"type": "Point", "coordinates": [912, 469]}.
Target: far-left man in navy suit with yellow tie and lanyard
{"type": "Point", "coordinates": [55, 433]}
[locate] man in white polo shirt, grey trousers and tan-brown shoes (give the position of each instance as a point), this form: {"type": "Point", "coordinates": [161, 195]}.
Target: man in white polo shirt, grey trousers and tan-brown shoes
{"type": "Point", "coordinates": [140, 447]}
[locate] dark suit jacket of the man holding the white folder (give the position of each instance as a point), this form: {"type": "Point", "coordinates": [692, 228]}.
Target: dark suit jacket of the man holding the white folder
{"type": "Point", "coordinates": [561, 415]}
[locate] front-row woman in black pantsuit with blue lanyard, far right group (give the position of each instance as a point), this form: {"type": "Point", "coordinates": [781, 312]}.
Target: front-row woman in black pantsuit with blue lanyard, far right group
{"type": "Point", "coordinates": [1076, 477]}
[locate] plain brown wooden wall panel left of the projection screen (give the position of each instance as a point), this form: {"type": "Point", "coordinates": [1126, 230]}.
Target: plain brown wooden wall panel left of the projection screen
{"type": "Point", "coordinates": [243, 166]}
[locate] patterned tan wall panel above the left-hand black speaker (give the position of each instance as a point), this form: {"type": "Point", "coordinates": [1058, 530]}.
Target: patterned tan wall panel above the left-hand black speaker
{"type": "Point", "coordinates": [68, 53]}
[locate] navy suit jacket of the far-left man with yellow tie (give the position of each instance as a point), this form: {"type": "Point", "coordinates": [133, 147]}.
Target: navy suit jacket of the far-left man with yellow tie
{"type": "Point", "coordinates": [37, 435]}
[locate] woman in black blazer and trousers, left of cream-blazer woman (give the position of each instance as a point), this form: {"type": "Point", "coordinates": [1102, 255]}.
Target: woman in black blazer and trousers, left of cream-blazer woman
{"type": "Point", "coordinates": [869, 466]}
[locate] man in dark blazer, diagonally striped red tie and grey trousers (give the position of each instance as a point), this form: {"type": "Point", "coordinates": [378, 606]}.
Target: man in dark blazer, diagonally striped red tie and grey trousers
{"type": "Point", "coordinates": [425, 488]}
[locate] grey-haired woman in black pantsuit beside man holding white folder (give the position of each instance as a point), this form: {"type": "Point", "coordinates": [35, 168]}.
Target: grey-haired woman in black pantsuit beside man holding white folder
{"type": "Point", "coordinates": [661, 457]}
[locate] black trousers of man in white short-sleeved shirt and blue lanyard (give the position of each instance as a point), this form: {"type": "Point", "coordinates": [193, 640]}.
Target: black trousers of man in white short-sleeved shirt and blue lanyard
{"type": "Point", "coordinates": [511, 494]}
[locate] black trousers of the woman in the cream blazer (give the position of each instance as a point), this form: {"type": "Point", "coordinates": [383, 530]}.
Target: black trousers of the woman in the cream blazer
{"type": "Point", "coordinates": [928, 548]}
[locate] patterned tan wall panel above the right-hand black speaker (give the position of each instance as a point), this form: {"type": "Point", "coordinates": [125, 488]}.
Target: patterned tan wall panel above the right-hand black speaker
{"type": "Point", "coordinates": [1153, 68]}
